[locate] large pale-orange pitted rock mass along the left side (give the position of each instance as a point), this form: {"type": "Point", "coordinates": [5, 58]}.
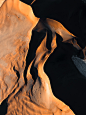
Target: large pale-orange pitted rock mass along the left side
{"type": "Point", "coordinates": [15, 34]}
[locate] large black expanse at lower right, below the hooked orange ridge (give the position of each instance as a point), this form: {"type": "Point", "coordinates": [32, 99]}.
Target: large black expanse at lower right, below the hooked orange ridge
{"type": "Point", "coordinates": [67, 83]}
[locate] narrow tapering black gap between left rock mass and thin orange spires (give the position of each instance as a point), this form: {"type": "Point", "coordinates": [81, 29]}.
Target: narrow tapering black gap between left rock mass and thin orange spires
{"type": "Point", "coordinates": [36, 39]}
